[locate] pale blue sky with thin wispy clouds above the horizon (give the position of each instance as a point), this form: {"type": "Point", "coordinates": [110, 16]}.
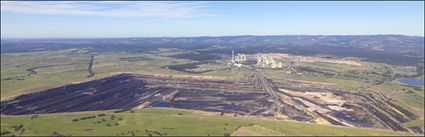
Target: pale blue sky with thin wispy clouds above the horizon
{"type": "Point", "coordinates": [107, 19]}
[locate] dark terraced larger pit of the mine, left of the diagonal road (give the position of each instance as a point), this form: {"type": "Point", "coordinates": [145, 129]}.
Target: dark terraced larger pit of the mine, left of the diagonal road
{"type": "Point", "coordinates": [126, 91]}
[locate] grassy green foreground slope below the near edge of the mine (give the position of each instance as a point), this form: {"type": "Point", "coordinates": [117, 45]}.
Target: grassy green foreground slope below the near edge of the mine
{"type": "Point", "coordinates": [165, 121]}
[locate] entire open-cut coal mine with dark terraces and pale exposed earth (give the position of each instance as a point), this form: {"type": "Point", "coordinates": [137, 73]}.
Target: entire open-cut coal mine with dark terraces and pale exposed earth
{"type": "Point", "coordinates": [259, 96]}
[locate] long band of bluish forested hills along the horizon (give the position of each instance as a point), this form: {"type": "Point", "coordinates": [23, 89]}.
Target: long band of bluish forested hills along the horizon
{"type": "Point", "coordinates": [392, 49]}
